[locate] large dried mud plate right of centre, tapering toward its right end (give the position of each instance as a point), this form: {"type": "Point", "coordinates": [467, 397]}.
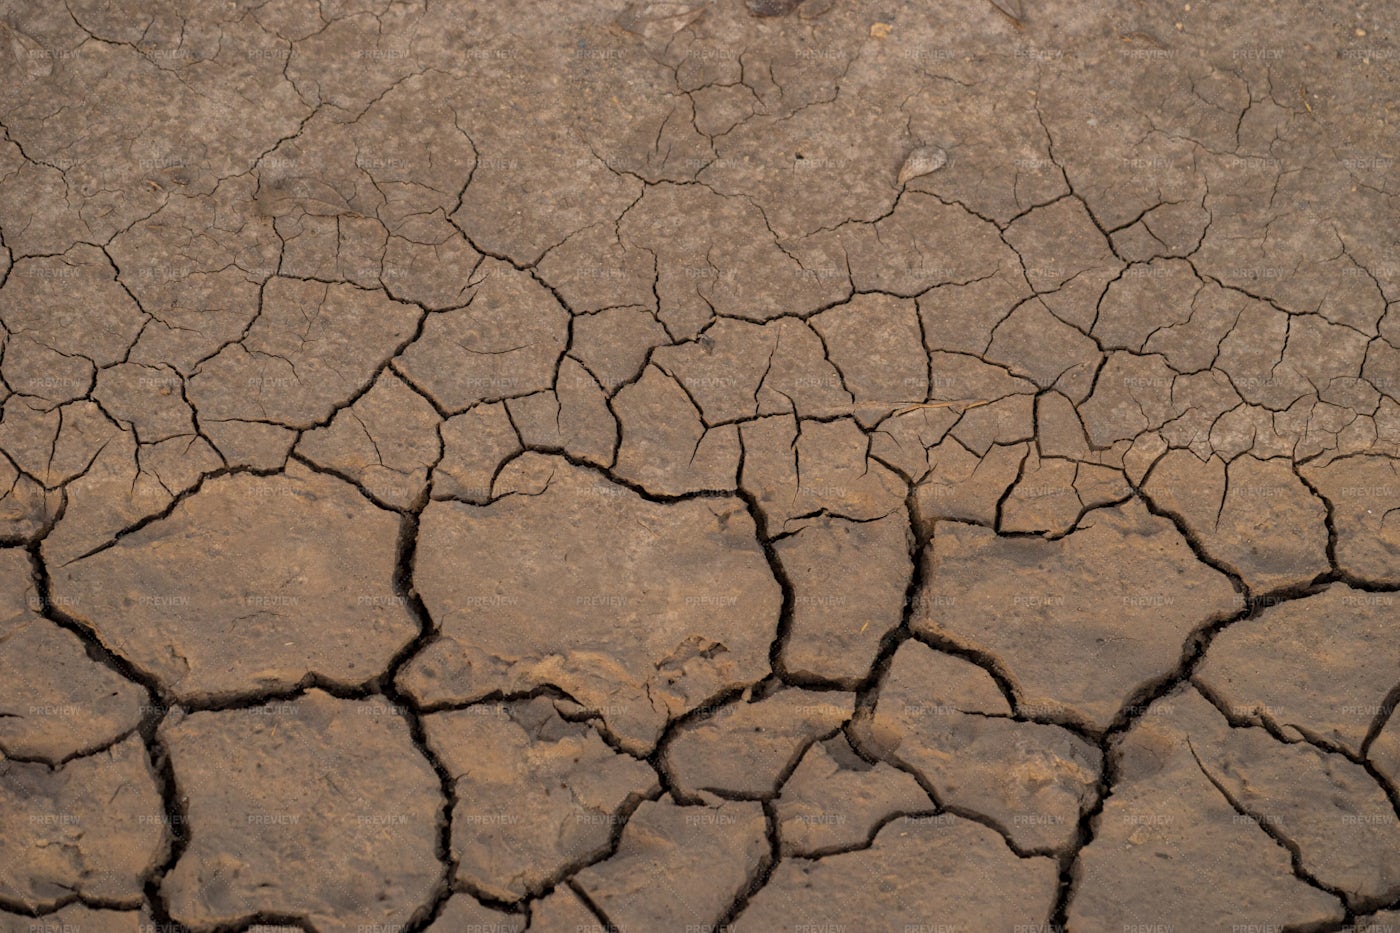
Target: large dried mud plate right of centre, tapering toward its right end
{"type": "Point", "coordinates": [1083, 630]}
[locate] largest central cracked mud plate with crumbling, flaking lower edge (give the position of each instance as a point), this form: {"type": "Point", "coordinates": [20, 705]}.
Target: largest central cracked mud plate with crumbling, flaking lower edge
{"type": "Point", "coordinates": [645, 611]}
